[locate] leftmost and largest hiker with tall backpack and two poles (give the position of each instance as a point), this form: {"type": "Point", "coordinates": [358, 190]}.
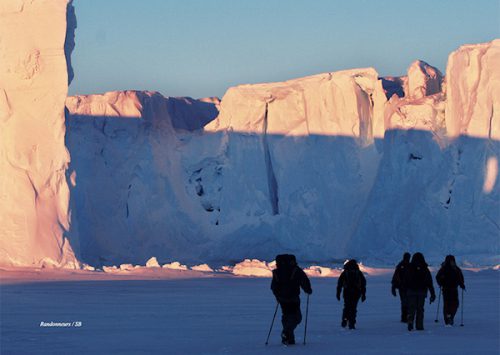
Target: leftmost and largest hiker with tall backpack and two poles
{"type": "Point", "coordinates": [288, 278]}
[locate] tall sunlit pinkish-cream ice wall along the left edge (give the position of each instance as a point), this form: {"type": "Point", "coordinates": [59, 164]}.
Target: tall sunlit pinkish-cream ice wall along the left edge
{"type": "Point", "coordinates": [33, 87]}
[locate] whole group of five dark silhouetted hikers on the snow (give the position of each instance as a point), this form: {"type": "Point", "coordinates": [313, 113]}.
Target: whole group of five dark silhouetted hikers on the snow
{"type": "Point", "coordinates": [411, 278]}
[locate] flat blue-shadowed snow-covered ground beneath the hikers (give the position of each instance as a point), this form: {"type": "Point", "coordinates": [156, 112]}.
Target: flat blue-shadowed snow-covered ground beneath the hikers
{"type": "Point", "coordinates": [230, 315]}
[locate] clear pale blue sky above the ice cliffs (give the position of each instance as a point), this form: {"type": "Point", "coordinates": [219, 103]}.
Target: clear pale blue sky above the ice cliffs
{"type": "Point", "coordinates": [201, 48]}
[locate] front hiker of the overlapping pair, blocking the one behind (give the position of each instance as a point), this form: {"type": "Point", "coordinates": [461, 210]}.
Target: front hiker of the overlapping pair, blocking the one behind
{"type": "Point", "coordinates": [417, 281]}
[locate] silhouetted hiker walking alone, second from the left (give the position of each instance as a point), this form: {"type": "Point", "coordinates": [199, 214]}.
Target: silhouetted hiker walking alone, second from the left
{"type": "Point", "coordinates": [353, 282]}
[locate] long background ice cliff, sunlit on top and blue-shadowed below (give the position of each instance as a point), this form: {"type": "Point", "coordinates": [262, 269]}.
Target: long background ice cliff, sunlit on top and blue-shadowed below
{"type": "Point", "coordinates": [329, 166]}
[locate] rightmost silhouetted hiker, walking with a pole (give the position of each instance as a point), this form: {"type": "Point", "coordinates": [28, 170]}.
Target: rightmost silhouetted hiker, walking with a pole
{"type": "Point", "coordinates": [449, 277]}
